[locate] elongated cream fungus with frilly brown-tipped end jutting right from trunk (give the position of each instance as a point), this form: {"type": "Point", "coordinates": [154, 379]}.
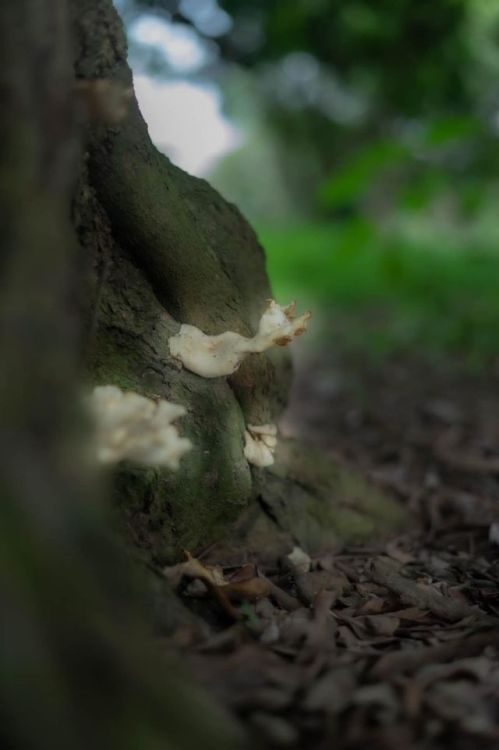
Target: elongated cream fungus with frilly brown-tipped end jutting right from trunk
{"type": "Point", "coordinates": [215, 356]}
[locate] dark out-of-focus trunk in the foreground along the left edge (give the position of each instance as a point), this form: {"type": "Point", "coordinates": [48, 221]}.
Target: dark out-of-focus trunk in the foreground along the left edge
{"type": "Point", "coordinates": [75, 667]}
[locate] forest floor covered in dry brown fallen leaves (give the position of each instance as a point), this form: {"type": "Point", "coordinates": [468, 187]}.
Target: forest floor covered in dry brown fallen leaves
{"type": "Point", "coordinates": [393, 645]}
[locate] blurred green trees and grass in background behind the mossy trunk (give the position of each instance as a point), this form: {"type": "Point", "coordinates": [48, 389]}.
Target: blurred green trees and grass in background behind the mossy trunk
{"type": "Point", "coordinates": [369, 157]}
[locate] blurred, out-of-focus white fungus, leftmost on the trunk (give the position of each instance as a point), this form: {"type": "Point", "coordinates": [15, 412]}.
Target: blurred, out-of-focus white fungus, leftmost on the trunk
{"type": "Point", "coordinates": [134, 427]}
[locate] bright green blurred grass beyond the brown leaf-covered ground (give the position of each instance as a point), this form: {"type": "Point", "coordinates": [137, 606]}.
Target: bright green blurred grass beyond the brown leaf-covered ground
{"type": "Point", "coordinates": [390, 293]}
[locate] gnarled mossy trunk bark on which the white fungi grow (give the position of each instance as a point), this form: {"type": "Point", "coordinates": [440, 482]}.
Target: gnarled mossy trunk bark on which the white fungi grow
{"type": "Point", "coordinates": [164, 248]}
